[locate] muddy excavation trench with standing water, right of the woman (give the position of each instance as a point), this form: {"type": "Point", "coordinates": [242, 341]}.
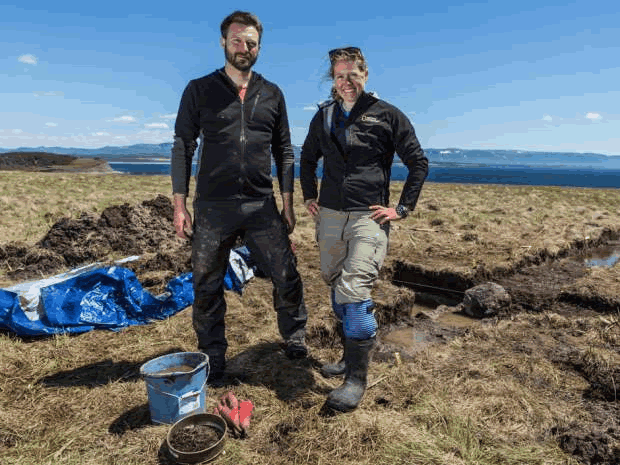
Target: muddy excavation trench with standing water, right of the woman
{"type": "Point", "coordinates": [423, 308]}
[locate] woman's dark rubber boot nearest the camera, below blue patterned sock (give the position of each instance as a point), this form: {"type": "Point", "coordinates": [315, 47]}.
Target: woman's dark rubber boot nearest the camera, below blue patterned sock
{"type": "Point", "coordinates": [348, 396]}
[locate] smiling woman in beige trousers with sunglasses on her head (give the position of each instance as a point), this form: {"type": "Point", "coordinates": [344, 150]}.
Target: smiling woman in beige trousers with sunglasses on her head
{"type": "Point", "coordinates": [356, 134]}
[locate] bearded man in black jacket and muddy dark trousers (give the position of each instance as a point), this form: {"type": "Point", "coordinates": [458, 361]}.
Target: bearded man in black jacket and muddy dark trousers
{"type": "Point", "coordinates": [242, 122]}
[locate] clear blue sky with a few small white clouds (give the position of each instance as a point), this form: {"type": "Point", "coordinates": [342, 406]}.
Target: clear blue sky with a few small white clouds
{"type": "Point", "coordinates": [529, 75]}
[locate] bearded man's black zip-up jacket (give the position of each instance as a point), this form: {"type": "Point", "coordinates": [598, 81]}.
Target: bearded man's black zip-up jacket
{"type": "Point", "coordinates": [237, 139]}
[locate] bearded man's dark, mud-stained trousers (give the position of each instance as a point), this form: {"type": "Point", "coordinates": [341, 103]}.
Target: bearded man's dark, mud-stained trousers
{"type": "Point", "coordinates": [217, 225]}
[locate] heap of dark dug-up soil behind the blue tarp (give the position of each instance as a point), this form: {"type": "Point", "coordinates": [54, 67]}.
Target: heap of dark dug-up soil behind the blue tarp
{"type": "Point", "coordinates": [120, 231]}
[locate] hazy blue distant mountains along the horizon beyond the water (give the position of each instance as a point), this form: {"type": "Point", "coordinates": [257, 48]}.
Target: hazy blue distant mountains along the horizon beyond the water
{"type": "Point", "coordinates": [438, 157]}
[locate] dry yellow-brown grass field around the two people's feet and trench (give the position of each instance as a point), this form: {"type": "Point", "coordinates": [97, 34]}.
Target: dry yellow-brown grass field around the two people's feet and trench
{"type": "Point", "coordinates": [535, 385]}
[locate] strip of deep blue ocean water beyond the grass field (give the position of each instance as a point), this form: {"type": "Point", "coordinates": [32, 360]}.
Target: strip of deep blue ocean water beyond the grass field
{"type": "Point", "coordinates": [500, 174]}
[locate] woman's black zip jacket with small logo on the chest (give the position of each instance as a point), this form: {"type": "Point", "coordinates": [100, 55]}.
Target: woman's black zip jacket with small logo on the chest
{"type": "Point", "coordinates": [357, 175]}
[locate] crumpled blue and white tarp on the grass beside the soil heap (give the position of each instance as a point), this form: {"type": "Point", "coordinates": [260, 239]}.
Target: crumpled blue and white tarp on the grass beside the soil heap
{"type": "Point", "coordinates": [102, 297]}
